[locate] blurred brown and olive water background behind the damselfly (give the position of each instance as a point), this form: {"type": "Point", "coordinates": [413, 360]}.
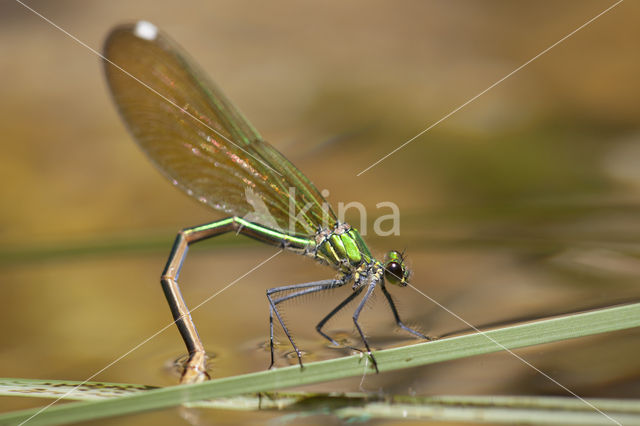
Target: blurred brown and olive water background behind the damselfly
{"type": "Point", "coordinates": [523, 204]}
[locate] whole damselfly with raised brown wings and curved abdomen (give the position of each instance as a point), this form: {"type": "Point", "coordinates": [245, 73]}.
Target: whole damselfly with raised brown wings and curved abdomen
{"type": "Point", "coordinates": [202, 143]}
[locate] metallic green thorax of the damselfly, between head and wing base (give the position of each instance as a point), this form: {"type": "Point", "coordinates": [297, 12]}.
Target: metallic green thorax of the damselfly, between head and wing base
{"type": "Point", "coordinates": [342, 247]}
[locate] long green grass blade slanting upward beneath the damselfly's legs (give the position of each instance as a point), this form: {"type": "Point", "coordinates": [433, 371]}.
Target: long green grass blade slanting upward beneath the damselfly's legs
{"type": "Point", "coordinates": [538, 332]}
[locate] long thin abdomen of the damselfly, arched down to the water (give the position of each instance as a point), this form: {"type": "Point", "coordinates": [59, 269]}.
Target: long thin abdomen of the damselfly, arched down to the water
{"type": "Point", "coordinates": [195, 369]}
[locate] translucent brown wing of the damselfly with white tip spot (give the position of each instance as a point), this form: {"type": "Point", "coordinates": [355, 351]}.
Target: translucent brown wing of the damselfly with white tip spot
{"type": "Point", "coordinates": [197, 138]}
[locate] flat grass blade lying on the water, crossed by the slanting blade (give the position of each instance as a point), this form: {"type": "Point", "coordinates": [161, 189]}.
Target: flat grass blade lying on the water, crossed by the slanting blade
{"type": "Point", "coordinates": [499, 409]}
